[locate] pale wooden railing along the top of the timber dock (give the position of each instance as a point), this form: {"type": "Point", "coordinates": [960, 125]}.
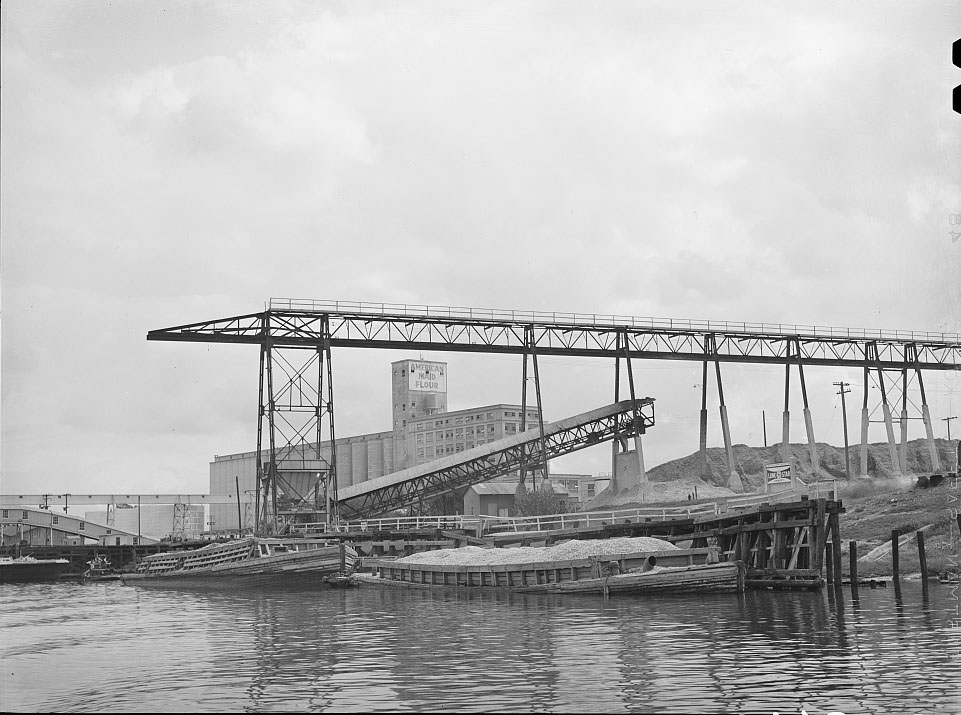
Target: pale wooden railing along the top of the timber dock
{"type": "Point", "coordinates": [522, 524]}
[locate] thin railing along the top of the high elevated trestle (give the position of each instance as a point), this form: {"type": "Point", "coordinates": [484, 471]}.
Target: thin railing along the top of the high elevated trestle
{"type": "Point", "coordinates": [598, 319]}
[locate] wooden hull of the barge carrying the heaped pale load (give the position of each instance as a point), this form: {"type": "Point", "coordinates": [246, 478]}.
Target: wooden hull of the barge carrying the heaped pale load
{"type": "Point", "coordinates": [678, 571]}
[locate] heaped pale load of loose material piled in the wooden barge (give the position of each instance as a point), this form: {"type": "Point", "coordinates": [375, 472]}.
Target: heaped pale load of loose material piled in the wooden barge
{"type": "Point", "coordinates": [565, 551]}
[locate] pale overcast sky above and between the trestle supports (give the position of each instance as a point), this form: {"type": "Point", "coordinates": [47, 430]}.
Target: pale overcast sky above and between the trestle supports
{"type": "Point", "coordinates": [166, 163]}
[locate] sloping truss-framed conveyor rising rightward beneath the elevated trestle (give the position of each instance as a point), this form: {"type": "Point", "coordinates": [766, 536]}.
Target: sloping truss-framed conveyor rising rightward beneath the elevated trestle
{"type": "Point", "coordinates": [561, 438]}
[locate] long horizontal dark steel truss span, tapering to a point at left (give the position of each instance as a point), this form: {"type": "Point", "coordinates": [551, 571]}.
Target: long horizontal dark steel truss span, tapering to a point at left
{"type": "Point", "coordinates": [405, 332]}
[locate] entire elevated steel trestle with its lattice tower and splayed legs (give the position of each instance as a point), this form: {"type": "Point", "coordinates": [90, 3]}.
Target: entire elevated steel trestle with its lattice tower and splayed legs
{"type": "Point", "coordinates": [296, 407]}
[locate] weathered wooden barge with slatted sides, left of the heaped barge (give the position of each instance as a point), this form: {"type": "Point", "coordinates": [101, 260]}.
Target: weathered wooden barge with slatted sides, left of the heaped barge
{"type": "Point", "coordinates": [275, 561]}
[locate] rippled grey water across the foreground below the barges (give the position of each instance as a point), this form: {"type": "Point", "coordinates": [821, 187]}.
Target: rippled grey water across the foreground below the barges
{"type": "Point", "coordinates": [112, 648]}
